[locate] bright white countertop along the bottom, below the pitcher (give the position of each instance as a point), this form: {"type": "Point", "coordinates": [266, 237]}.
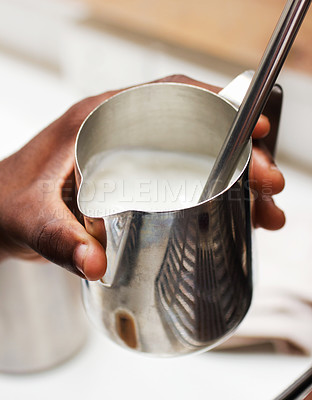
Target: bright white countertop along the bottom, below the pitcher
{"type": "Point", "coordinates": [104, 371]}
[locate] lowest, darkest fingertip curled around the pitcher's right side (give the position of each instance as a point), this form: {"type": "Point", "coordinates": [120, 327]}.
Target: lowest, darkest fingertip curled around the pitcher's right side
{"type": "Point", "coordinates": [268, 215]}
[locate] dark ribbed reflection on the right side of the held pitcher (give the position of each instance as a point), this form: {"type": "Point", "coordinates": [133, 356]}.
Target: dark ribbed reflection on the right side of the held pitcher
{"type": "Point", "coordinates": [200, 288]}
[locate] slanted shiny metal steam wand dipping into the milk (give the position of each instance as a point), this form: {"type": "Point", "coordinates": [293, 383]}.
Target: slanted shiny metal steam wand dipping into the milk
{"type": "Point", "coordinates": [256, 96]}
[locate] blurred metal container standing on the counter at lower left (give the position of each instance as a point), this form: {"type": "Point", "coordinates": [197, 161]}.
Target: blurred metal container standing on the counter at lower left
{"type": "Point", "coordinates": [42, 321]}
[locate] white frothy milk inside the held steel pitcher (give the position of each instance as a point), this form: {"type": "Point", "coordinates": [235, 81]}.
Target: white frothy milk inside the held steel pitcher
{"type": "Point", "coordinates": [144, 180]}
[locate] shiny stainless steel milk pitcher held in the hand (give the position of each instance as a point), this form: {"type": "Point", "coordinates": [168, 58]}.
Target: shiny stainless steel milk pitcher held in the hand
{"type": "Point", "coordinates": [178, 281]}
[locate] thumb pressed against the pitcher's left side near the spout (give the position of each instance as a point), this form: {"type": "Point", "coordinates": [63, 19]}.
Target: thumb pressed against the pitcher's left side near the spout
{"type": "Point", "coordinates": [60, 238]}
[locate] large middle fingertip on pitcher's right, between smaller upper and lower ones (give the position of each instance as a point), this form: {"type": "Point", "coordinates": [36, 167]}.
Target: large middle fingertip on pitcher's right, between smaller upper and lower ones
{"type": "Point", "coordinates": [265, 177]}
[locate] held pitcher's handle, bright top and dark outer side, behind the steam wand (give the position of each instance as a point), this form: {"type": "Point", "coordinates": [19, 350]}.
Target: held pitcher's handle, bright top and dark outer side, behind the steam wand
{"type": "Point", "coordinates": [235, 91]}
